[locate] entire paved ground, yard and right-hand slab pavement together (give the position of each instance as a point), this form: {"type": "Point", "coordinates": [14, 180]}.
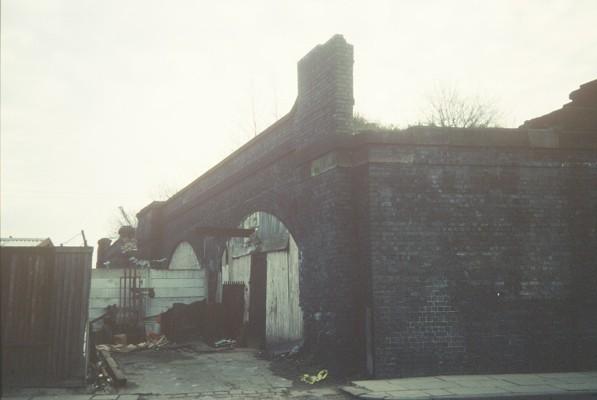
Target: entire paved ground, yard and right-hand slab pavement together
{"type": "Point", "coordinates": [190, 372]}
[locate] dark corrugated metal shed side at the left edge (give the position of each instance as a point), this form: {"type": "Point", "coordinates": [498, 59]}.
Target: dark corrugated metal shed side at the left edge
{"type": "Point", "coordinates": [45, 294]}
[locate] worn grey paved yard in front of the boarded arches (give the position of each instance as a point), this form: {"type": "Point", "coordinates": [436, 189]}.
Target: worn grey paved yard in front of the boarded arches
{"type": "Point", "coordinates": [192, 371]}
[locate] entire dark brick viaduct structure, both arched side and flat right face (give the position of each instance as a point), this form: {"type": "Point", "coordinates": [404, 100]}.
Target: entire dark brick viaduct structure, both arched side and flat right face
{"type": "Point", "coordinates": [471, 250]}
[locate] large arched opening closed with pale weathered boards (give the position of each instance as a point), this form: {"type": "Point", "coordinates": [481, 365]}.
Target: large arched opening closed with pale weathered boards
{"type": "Point", "coordinates": [266, 265]}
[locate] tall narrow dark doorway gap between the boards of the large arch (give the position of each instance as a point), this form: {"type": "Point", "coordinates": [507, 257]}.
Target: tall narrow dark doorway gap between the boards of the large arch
{"type": "Point", "coordinates": [257, 286]}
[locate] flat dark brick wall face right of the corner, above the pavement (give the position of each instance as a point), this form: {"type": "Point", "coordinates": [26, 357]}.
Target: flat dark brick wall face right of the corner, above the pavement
{"type": "Point", "coordinates": [483, 259]}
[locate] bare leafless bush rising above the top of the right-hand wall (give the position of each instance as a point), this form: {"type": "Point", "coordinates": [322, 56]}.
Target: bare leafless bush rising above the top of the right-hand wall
{"type": "Point", "coordinates": [448, 108]}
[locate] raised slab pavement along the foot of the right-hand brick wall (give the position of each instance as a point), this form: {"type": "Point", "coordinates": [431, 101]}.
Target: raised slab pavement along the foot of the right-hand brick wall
{"type": "Point", "coordinates": [519, 386]}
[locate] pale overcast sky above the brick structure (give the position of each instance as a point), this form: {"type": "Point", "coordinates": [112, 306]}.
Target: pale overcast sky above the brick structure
{"type": "Point", "coordinates": [110, 103]}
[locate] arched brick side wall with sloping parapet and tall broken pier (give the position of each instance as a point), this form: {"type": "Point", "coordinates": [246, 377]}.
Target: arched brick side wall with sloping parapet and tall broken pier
{"type": "Point", "coordinates": [272, 173]}
